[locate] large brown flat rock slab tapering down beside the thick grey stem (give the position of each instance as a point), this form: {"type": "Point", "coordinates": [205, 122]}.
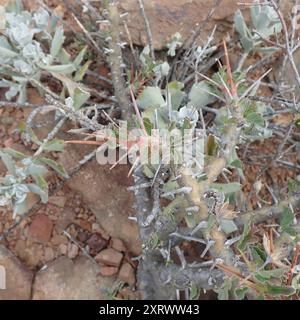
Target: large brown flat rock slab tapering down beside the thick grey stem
{"type": "Point", "coordinates": [105, 192]}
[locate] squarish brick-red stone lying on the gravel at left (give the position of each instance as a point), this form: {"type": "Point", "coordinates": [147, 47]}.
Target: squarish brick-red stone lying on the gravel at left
{"type": "Point", "coordinates": [41, 228]}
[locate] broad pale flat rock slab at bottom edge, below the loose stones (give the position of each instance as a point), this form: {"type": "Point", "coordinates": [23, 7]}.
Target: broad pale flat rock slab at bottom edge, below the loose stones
{"type": "Point", "coordinates": [65, 279]}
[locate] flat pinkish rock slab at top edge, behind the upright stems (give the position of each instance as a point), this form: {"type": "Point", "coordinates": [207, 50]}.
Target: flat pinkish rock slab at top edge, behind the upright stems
{"type": "Point", "coordinates": [166, 17]}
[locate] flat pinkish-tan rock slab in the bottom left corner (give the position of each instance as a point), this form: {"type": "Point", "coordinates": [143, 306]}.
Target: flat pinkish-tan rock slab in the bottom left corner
{"type": "Point", "coordinates": [17, 278]}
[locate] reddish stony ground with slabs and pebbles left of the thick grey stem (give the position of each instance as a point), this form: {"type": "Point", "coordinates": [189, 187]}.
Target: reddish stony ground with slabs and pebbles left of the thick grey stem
{"type": "Point", "coordinates": [79, 245]}
